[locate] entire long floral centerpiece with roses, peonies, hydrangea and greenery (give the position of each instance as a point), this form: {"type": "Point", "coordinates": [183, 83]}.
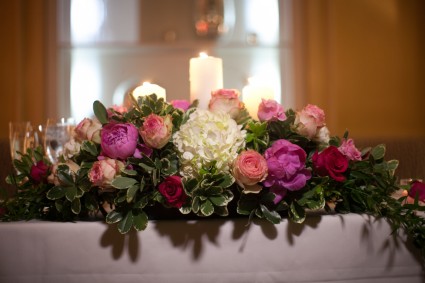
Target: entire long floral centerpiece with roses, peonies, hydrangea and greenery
{"type": "Point", "coordinates": [155, 156]}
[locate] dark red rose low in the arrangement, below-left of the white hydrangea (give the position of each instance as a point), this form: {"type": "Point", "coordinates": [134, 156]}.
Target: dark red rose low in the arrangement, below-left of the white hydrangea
{"type": "Point", "coordinates": [172, 189]}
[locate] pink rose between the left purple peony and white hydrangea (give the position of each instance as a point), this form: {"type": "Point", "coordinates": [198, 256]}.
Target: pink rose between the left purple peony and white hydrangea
{"type": "Point", "coordinates": [156, 130]}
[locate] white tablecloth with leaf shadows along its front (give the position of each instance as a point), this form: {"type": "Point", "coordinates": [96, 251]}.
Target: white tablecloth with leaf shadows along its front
{"type": "Point", "coordinates": [331, 248]}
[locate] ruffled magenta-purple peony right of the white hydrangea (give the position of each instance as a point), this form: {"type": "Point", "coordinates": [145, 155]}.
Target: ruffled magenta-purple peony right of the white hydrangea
{"type": "Point", "coordinates": [286, 168]}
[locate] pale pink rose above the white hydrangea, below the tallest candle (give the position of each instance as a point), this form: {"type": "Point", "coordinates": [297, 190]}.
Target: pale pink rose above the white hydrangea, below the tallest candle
{"type": "Point", "coordinates": [226, 100]}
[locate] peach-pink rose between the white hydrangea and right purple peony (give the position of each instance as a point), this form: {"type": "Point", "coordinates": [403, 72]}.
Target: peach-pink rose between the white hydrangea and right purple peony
{"type": "Point", "coordinates": [250, 168]}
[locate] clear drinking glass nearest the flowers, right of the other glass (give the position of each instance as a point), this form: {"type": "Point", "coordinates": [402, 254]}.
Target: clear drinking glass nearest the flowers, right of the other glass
{"type": "Point", "coordinates": [57, 133]}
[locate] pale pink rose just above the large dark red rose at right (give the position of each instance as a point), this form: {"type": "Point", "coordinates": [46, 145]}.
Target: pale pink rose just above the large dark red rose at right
{"type": "Point", "coordinates": [310, 120]}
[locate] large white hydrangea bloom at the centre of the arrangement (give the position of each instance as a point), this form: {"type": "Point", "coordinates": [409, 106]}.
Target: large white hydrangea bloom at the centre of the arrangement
{"type": "Point", "coordinates": [207, 137]}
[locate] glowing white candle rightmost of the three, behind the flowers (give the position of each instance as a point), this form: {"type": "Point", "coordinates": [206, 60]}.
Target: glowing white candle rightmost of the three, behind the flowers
{"type": "Point", "coordinates": [252, 95]}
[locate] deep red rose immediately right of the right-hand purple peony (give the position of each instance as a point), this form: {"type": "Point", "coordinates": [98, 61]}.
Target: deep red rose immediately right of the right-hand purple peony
{"type": "Point", "coordinates": [330, 162]}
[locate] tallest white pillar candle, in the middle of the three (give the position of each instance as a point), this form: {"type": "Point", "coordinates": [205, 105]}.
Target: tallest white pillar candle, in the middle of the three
{"type": "Point", "coordinates": [205, 75]}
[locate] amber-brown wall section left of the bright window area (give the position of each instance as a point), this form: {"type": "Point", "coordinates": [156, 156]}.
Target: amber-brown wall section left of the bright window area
{"type": "Point", "coordinates": [27, 30]}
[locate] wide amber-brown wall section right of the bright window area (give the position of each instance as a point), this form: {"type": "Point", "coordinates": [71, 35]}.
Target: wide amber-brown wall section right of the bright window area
{"type": "Point", "coordinates": [363, 62]}
